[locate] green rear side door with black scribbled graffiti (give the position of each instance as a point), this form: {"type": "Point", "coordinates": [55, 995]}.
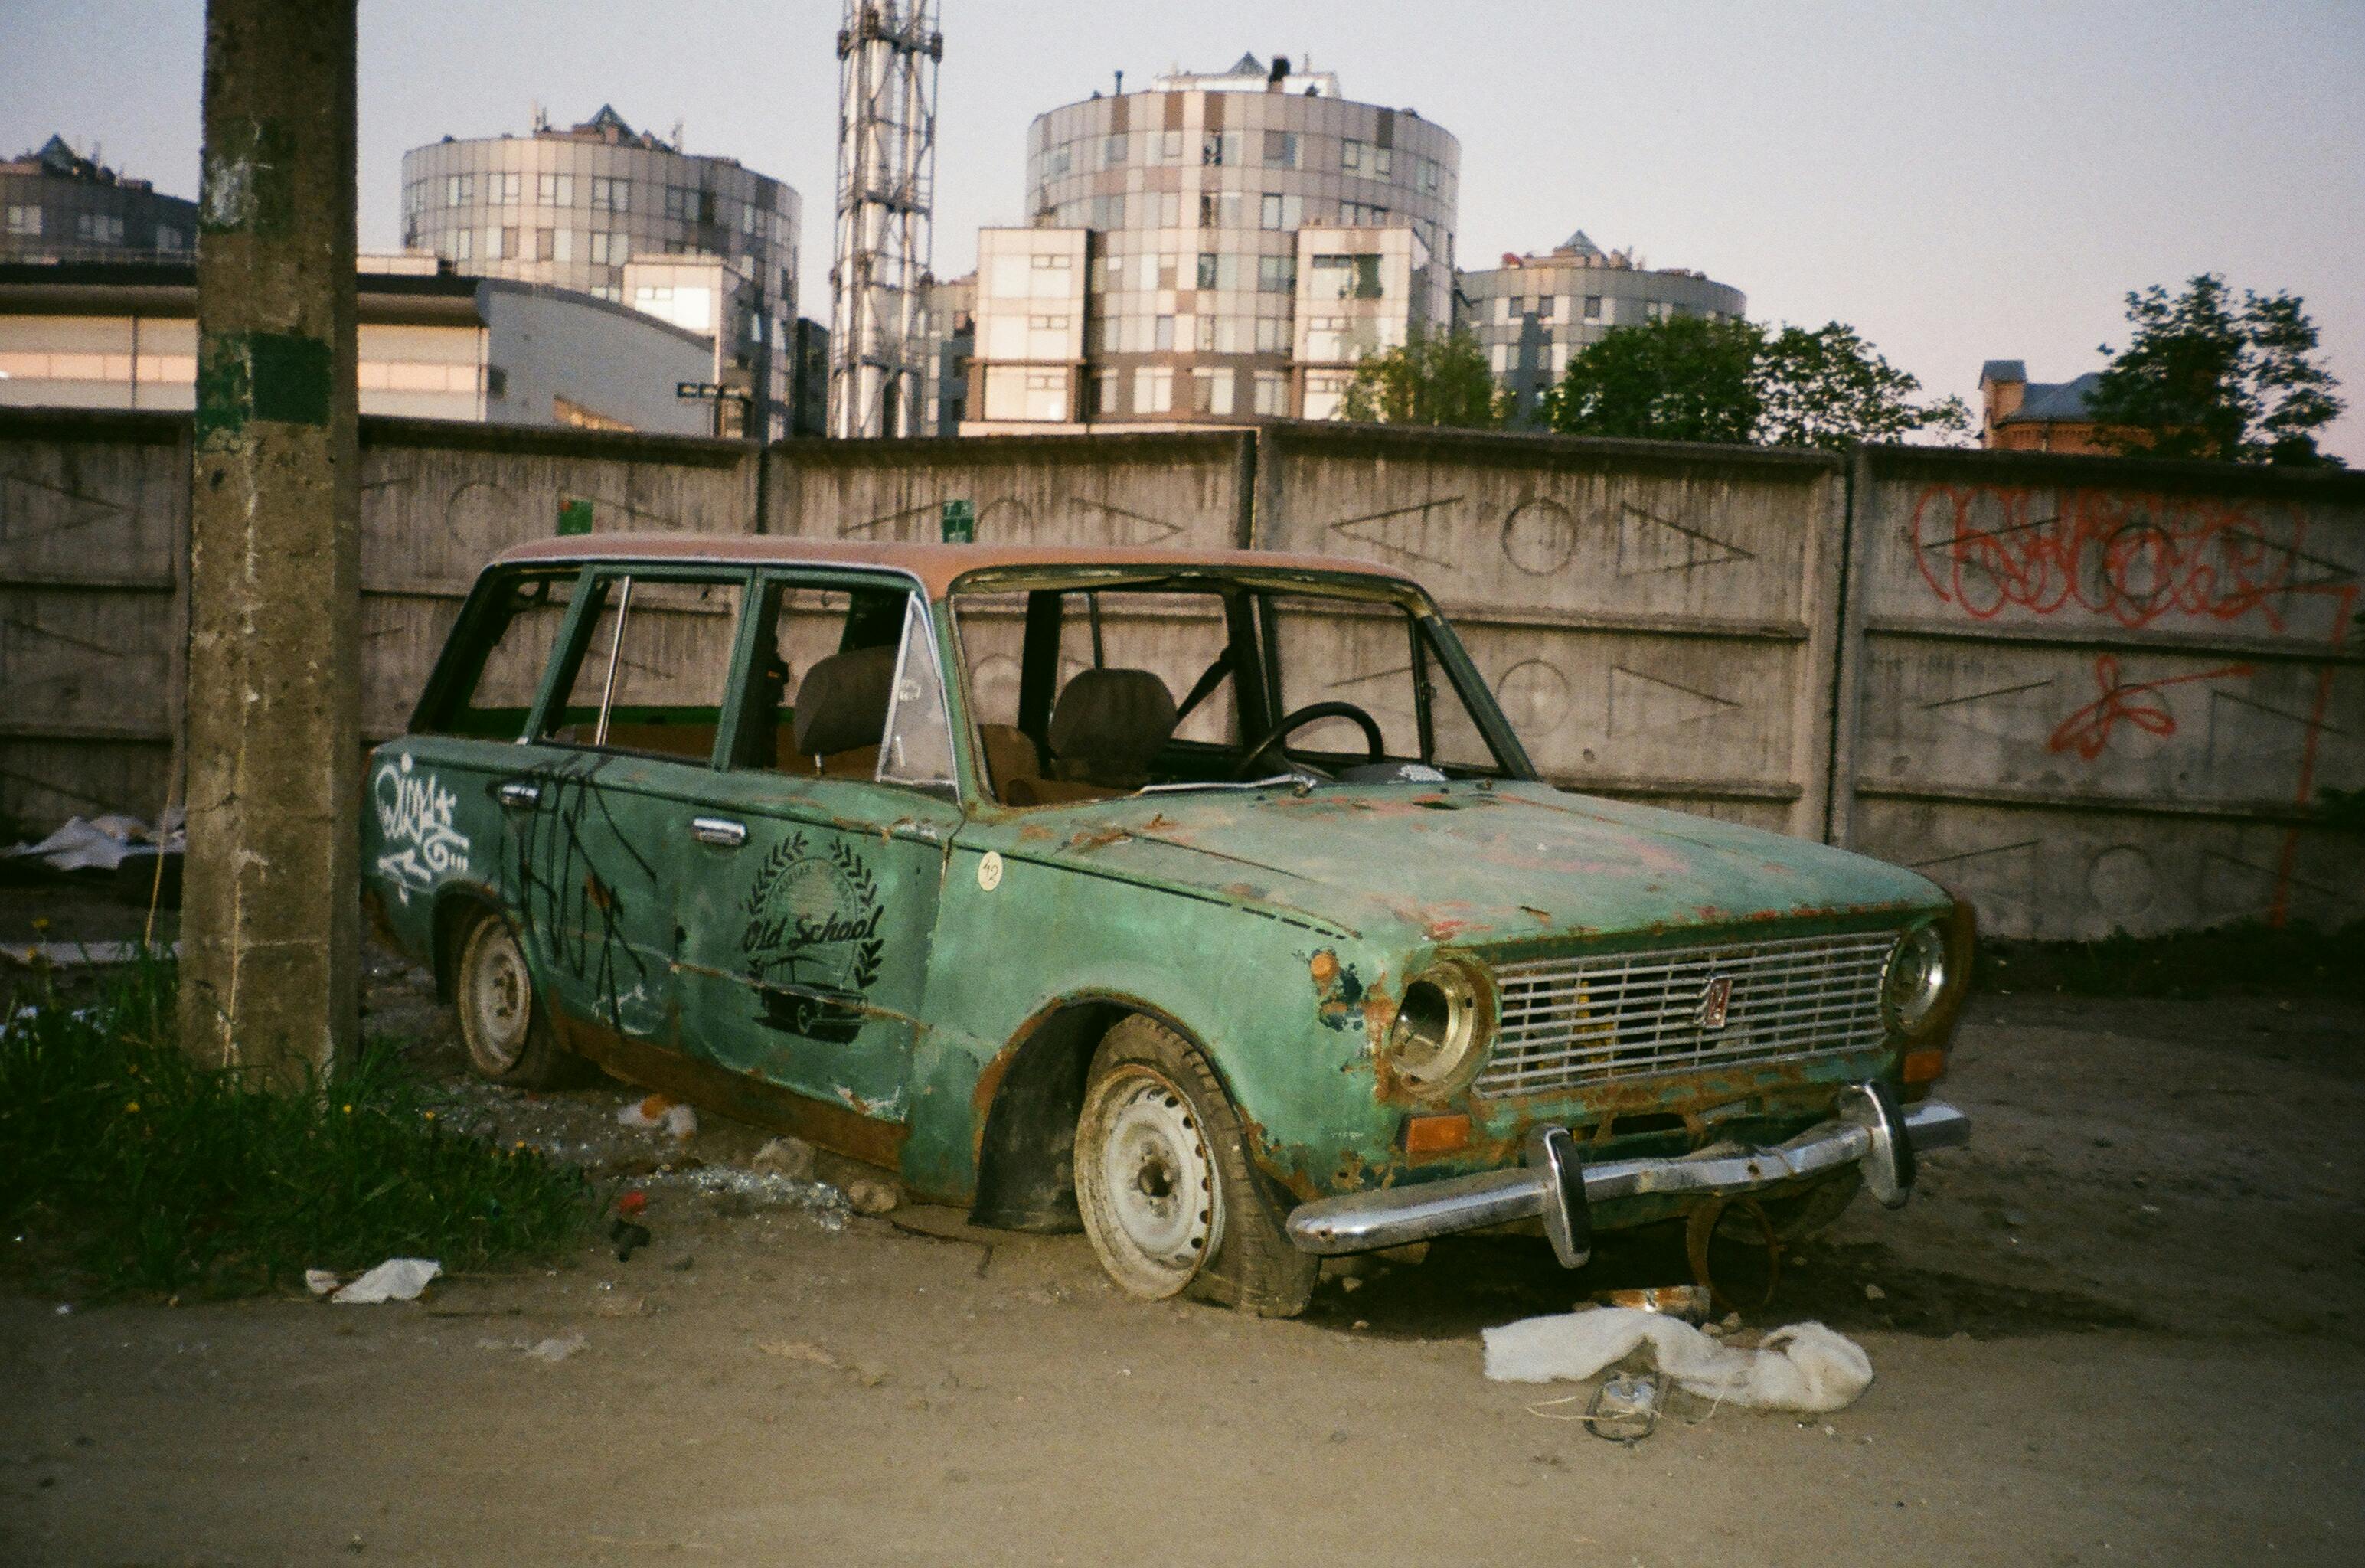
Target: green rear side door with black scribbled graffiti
{"type": "Point", "coordinates": [597, 801]}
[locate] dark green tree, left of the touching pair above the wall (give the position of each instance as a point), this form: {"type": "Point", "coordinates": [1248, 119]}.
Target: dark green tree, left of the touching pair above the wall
{"type": "Point", "coordinates": [1671, 380]}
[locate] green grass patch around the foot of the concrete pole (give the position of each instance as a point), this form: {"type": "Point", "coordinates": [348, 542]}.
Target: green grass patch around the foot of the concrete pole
{"type": "Point", "coordinates": [141, 1169]}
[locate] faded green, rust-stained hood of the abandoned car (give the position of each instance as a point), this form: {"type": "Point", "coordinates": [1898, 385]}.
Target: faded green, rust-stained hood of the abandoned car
{"type": "Point", "coordinates": [1470, 864]}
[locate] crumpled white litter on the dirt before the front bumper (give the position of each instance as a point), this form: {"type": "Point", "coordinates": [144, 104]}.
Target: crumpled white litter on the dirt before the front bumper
{"type": "Point", "coordinates": [1801, 1368]}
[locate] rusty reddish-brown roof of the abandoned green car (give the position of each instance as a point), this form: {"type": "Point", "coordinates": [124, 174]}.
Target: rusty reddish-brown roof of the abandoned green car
{"type": "Point", "coordinates": [933, 564]}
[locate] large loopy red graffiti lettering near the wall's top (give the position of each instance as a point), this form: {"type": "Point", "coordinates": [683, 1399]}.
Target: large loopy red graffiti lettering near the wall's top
{"type": "Point", "coordinates": [2134, 557]}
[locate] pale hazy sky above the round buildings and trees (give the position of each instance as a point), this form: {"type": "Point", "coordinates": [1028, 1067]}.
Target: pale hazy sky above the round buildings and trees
{"type": "Point", "coordinates": [1959, 183]}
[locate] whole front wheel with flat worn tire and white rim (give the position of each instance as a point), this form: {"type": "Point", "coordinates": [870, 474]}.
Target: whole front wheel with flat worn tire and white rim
{"type": "Point", "coordinates": [1151, 1089]}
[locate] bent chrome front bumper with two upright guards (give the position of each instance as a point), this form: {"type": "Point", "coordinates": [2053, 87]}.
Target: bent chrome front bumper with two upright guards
{"type": "Point", "coordinates": [1555, 1186]}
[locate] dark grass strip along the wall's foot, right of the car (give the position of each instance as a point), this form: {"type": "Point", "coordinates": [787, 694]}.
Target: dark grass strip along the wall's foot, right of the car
{"type": "Point", "coordinates": [2248, 959]}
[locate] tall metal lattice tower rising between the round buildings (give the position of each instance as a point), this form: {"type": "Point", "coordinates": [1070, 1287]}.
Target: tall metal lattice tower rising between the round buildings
{"type": "Point", "coordinates": [886, 190]}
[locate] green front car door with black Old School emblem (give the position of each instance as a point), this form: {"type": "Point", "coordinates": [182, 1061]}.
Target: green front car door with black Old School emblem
{"type": "Point", "coordinates": [810, 890]}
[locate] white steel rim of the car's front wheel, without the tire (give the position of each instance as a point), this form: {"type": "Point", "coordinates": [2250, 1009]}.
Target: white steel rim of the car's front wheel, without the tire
{"type": "Point", "coordinates": [1151, 1186]}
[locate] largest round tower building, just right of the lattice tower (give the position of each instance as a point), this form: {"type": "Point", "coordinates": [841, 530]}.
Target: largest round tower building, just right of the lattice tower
{"type": "Point", "coordinates": [1250, 238]}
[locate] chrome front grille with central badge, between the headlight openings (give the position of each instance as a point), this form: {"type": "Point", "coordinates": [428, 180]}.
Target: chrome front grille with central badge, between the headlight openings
{"type": "Point", "coordinates": [1598, 1021]}
